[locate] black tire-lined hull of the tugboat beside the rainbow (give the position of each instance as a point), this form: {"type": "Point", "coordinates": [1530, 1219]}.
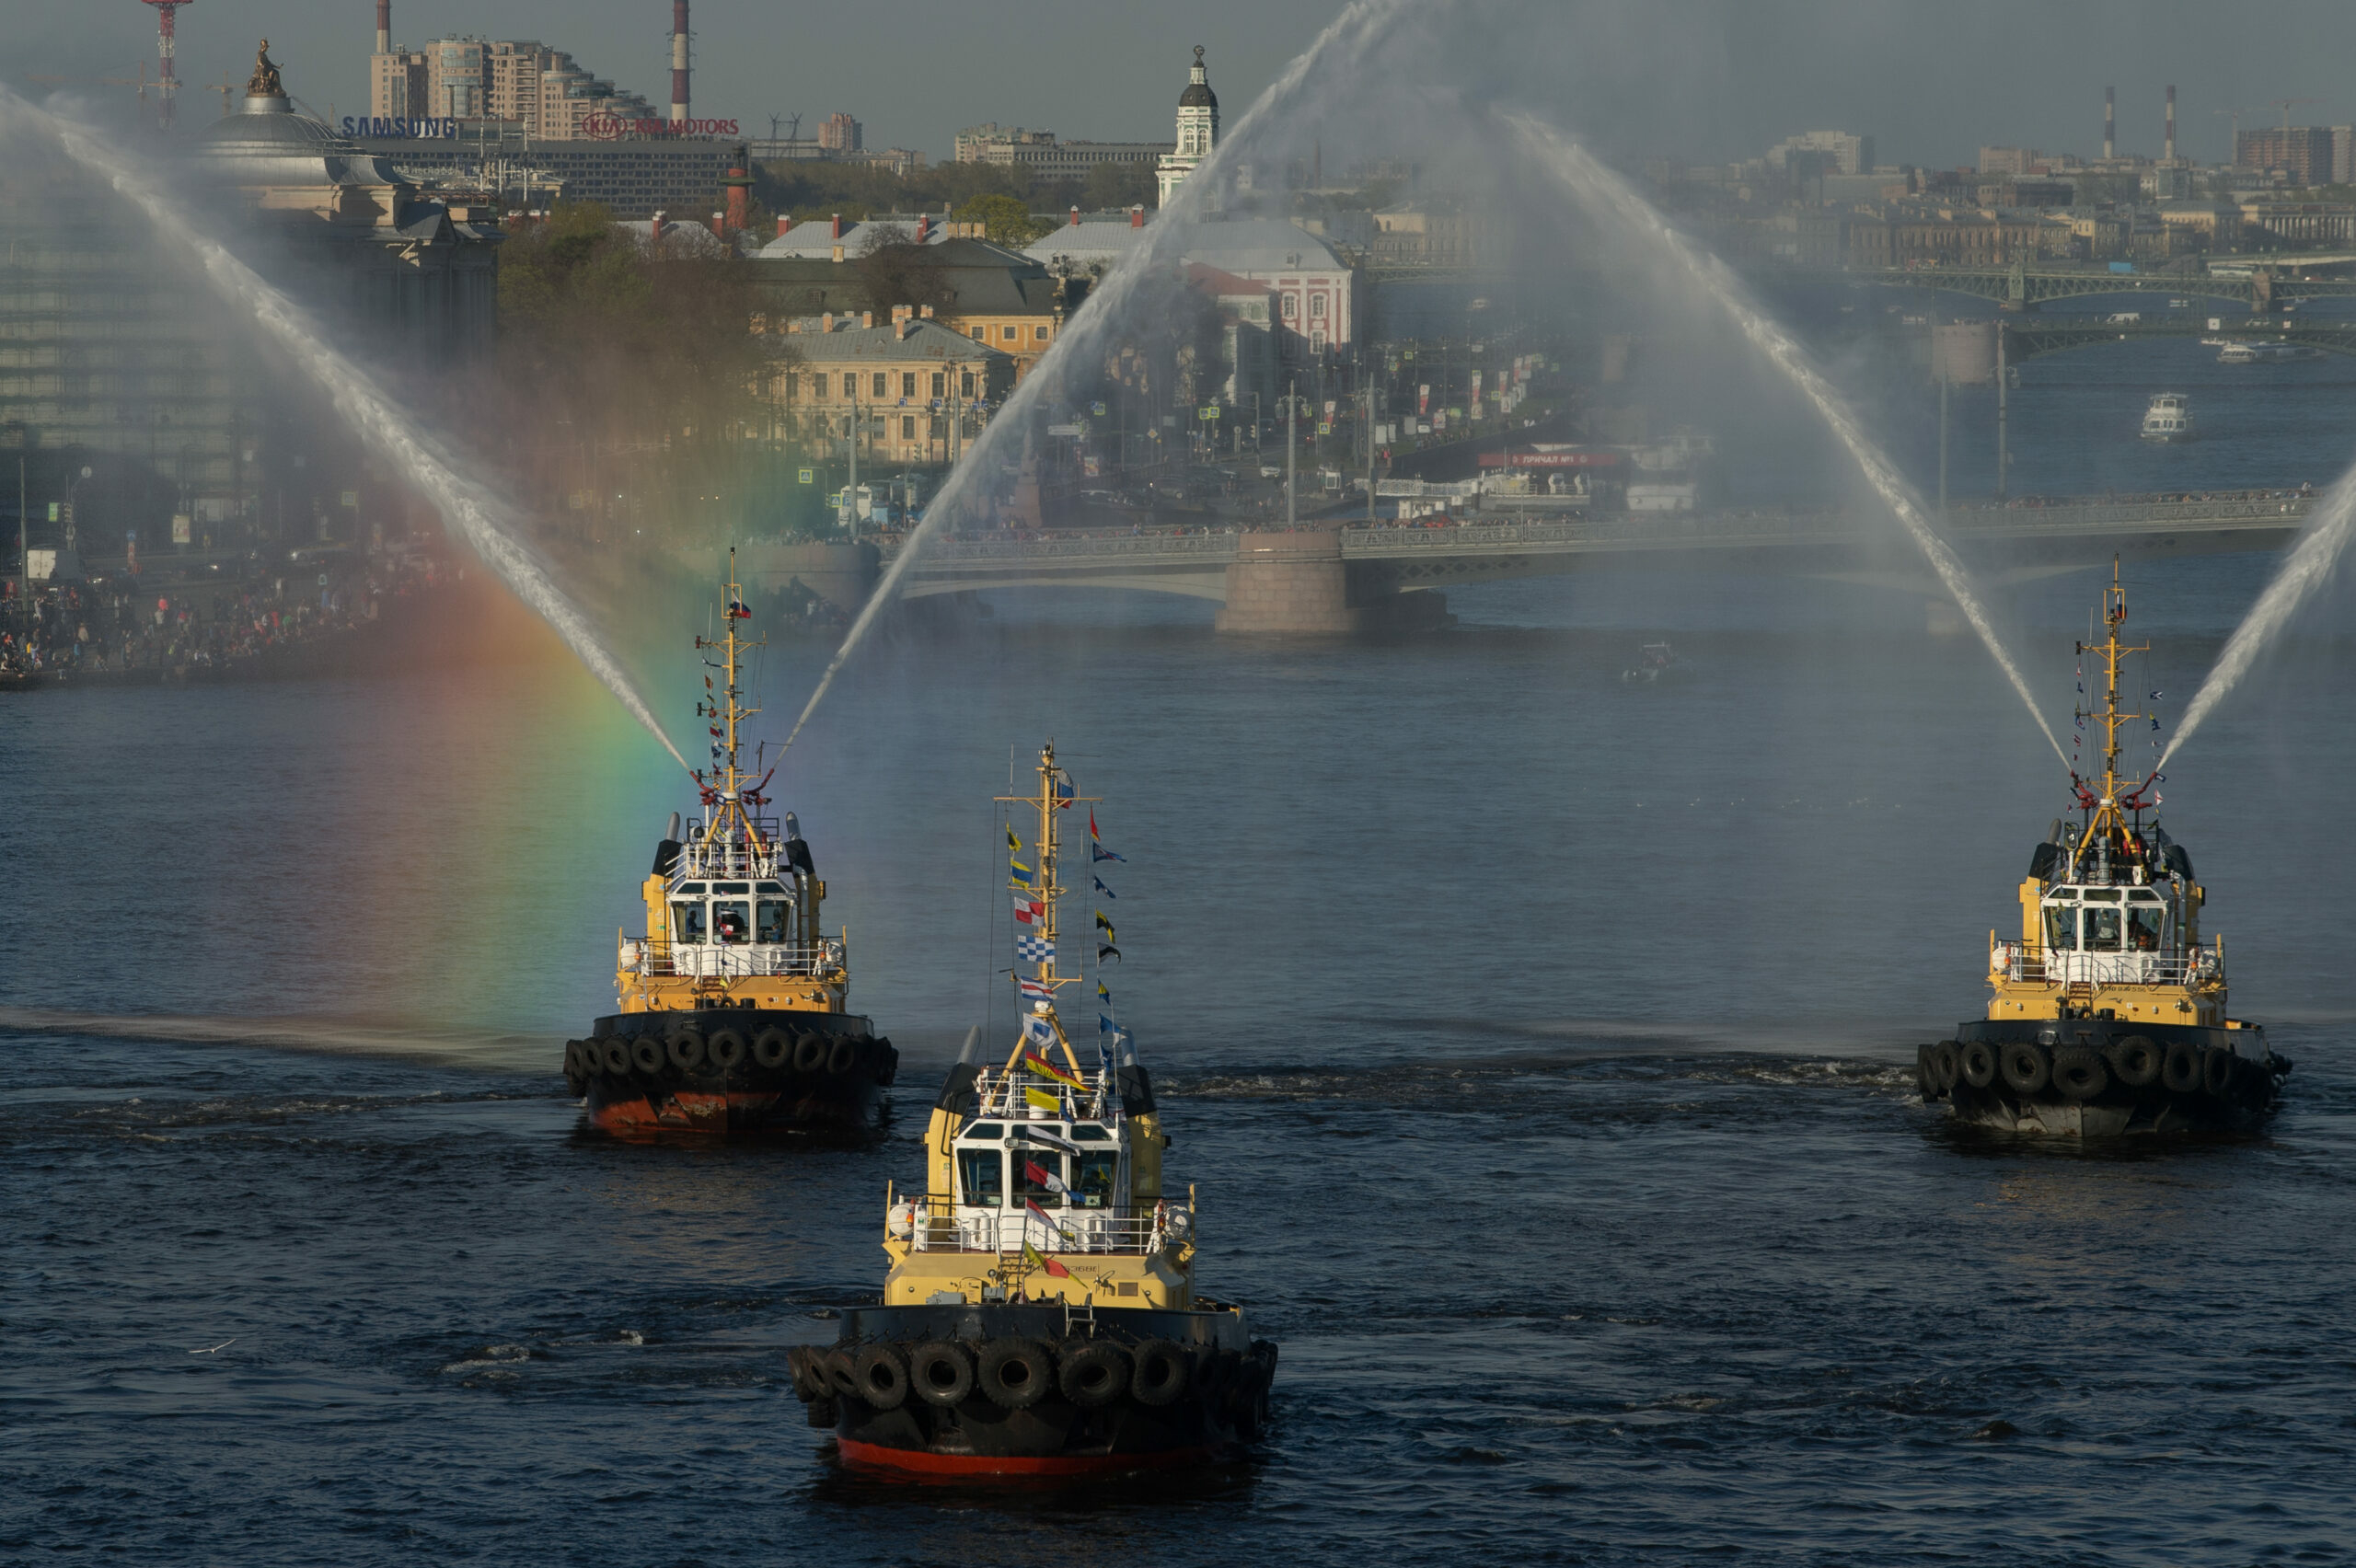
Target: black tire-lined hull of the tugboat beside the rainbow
{"type": "Point", "coordinates": [732, 1070]}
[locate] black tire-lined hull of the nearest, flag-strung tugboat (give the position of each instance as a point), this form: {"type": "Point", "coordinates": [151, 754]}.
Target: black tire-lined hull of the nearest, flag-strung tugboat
{"type": "Point", "coordinates": [1021, 1390]}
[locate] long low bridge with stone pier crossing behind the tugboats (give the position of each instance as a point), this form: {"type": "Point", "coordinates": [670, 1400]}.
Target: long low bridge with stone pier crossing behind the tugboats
{"type": "Point", "coordinates": [1361, 576]}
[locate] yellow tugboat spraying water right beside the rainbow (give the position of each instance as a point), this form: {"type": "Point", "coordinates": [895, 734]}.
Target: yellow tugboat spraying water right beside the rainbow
{"type": "Point", "coordinates": [734, 1006]}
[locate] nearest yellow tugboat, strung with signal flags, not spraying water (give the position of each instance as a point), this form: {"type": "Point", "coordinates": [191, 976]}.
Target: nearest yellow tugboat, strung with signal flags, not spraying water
{"type": "Point", "coordinates": [1040, 1313]}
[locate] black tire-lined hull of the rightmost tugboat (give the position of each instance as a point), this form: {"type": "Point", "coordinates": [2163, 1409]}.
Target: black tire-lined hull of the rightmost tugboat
{"type": "Point", "coordinates": [2103, 1077]}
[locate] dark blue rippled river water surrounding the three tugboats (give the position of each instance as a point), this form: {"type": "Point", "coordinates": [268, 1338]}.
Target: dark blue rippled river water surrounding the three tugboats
{"type": "Point", "coordinates": [1540, 1049]}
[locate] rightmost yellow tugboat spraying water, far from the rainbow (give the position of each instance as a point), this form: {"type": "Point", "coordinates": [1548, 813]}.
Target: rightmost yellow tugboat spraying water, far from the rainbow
{"type": "Point", "coordinates": [2107, 1014]}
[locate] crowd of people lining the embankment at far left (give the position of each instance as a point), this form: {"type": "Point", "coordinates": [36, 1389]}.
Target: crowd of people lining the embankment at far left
{"type": "Point", "coordinates": [117, 627]}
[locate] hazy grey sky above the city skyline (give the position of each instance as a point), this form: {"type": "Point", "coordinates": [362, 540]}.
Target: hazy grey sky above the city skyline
{"type": "Point", "coordinates": [1695, 79]}
